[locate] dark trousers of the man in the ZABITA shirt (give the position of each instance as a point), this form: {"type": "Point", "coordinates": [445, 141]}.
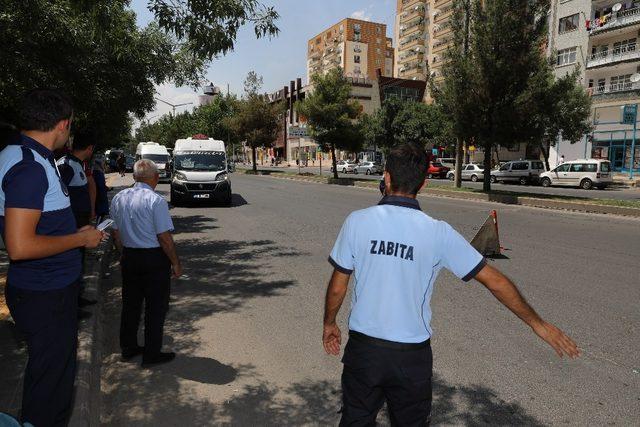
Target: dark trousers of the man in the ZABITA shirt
{"type": "Point", "coordinates": [377, 370]}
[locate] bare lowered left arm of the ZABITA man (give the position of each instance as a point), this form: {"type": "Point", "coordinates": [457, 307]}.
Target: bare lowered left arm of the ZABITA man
{"type": "Point", "coordinates": [336, 291]}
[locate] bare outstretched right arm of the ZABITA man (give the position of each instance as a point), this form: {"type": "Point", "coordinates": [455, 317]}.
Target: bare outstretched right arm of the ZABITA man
{"type": "Point", "coordinates": [507, 293]}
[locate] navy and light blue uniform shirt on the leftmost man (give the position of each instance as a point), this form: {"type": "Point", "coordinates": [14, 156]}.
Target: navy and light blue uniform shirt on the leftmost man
{"type": "Point", "coordinates": [29, 180]}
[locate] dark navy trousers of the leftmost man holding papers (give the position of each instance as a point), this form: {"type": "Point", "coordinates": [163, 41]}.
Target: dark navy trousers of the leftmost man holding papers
{"type": "Point", "coordinates": [49, 319]}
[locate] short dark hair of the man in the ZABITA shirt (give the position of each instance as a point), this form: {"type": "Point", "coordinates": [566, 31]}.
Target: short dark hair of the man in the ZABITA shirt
{"type": "Point", "coordinates": [407, 165]}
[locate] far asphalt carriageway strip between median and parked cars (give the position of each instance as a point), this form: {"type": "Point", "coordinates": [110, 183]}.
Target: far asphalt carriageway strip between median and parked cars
{"type": "Point", "coordinates": [616, 192]}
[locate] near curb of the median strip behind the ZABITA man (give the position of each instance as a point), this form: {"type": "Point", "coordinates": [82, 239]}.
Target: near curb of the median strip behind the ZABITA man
{"type": "Point", "coordinates": [509, 199]}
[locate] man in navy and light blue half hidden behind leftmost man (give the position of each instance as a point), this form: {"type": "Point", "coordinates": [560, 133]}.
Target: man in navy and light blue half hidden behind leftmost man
{"type": "Point", "coordinates": [74, 176]}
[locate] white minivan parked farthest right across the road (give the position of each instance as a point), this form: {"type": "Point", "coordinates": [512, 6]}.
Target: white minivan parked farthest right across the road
{"type": "Point", "coordinates": [585, 174]}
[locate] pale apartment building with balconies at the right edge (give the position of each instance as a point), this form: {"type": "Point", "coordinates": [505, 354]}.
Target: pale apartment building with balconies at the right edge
{"type": "Point", "coordinates": [600, 38]}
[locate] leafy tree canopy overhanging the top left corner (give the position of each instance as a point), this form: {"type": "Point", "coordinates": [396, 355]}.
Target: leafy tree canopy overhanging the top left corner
{"type": "Point", "coordinates": [94, 51]}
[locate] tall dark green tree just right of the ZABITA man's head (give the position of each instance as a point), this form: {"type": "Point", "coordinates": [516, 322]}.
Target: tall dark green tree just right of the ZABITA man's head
{"type": "Point", "coordinates": [490, 79]}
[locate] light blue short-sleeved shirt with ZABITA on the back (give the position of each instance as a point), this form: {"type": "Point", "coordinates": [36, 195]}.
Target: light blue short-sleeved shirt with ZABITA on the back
{"type": "Point", "coordinates": [396, 252]}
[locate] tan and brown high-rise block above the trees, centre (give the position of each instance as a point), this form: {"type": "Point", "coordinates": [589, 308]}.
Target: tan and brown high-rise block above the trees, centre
{"type": "Point", "coordinates": [359, 47]}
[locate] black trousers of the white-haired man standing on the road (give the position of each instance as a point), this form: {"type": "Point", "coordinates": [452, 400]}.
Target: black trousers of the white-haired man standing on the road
{"type": "Point", "coordinates": [146, 277]}
